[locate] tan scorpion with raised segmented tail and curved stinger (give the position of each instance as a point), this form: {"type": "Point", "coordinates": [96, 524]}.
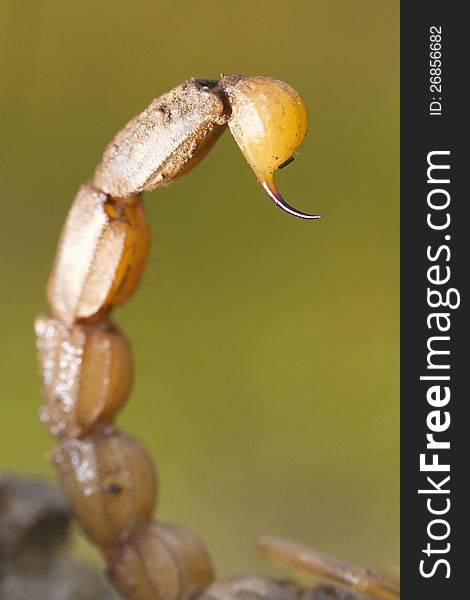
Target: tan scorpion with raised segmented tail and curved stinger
{"type": "Point", "coordinates": [86, 362]}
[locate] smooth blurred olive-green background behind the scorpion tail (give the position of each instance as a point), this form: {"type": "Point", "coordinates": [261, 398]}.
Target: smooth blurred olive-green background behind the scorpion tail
{"type": "Point", "coordinates": [266, 347]}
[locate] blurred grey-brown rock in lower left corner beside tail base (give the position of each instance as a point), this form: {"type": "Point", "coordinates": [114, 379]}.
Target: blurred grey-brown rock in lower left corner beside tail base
{"type": "Point", "coordinates": [34, 560]}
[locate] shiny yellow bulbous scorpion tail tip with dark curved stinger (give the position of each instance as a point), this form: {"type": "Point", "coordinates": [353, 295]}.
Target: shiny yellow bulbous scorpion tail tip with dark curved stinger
{"type": "Point", "coordinates": [268, 121]}
